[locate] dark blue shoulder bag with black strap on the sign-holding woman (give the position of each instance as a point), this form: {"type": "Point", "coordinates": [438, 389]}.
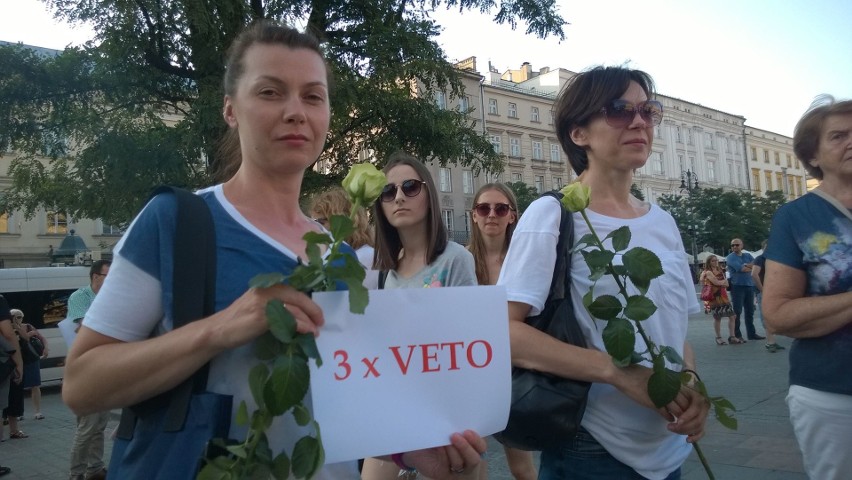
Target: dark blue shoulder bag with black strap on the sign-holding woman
{"type": "Point", "coordinates": [166, 436]}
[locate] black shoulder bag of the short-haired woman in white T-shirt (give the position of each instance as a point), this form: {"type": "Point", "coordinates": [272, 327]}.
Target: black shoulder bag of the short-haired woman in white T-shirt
{"type": "Point", "coordinates": [547, 409]}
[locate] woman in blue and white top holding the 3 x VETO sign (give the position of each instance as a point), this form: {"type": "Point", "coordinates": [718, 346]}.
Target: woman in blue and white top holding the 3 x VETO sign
{"type": "Point", "coordinates": [276, 104]}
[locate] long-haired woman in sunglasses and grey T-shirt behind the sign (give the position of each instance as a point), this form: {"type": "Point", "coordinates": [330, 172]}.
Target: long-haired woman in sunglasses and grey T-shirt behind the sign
{"type": "Point", "coordinates": [413, 251]}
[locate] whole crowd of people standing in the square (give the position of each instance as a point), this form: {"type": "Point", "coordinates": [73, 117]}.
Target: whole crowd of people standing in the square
{"type": "Point", "coordinates": [277, 108]}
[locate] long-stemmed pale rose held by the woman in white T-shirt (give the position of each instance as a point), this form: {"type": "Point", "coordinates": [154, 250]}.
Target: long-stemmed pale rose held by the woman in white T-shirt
{"type": "Point", "coordinates": [640, 265]}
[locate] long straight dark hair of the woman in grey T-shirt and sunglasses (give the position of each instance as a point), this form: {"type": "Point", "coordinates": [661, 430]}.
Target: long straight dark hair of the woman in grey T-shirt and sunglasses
{"type": "Point", "coordinates": [388, 244]}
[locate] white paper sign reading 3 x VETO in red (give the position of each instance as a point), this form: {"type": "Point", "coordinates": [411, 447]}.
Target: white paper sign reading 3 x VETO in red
{"type": "Point", "coordinates": [418, 366]}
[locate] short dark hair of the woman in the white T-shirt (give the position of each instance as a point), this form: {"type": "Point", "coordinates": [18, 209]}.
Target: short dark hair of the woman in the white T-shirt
{"type": "Point", "coordinates": [583, 98]}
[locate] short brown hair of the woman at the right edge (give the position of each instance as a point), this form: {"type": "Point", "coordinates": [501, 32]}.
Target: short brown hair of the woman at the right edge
{"type": "Point", "coordinates": [806, 136]}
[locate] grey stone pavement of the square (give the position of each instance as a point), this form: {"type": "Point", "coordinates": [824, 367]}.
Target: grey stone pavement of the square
{"type": "Point", "coordinates": [762, 448]}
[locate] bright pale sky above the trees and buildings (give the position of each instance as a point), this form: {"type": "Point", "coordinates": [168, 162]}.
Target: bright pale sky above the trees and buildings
{"type": "Point", "coordinates": [764, 60]}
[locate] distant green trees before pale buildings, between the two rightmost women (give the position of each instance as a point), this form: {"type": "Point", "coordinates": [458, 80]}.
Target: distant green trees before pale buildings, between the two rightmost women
{"type": "Point", "coordinates": [713, 217]}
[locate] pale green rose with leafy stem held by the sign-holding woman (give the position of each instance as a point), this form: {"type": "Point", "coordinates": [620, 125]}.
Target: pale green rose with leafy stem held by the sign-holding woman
{"type": "Point", "coordinates": [280, 381]}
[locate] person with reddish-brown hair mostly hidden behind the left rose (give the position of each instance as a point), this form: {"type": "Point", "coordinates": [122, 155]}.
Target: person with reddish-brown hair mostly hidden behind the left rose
{"type": "Point", "coordinates": [335, 202]}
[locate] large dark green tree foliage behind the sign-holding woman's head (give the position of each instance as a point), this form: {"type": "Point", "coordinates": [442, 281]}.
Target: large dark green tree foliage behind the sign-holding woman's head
{"type": "Point", "coordinates": [98, 112]}
